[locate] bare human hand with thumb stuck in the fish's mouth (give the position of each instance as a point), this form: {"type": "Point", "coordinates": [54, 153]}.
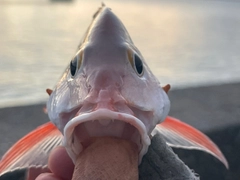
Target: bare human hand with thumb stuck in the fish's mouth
{"type": "Point", "coordinates": [103, 158]}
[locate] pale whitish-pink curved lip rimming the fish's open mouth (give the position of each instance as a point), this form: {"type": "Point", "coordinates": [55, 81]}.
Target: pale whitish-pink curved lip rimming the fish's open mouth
{"type": "Point", "coordinates": [85, 117]}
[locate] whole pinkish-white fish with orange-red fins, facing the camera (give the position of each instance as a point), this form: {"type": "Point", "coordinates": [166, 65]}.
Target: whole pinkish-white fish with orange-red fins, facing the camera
{"type": "Point", "coordinates": [107, 89]}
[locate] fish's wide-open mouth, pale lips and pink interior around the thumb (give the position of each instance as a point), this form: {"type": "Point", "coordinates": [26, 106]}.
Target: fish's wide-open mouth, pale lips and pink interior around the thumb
{"type": "Point", "coordinates": [101, 123]}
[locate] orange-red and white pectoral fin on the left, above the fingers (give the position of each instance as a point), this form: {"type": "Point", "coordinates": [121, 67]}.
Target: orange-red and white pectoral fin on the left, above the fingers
{"type": "Point", "coordinates": [32, 150]}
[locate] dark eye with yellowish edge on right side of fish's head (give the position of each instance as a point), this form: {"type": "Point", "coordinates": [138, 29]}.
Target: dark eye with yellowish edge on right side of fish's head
{"type": "Point", "coordinates": [136, 62]}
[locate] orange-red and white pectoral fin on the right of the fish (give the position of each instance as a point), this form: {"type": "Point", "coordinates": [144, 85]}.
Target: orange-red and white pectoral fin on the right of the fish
{"type": "Point", "coordinates": [181, 135]}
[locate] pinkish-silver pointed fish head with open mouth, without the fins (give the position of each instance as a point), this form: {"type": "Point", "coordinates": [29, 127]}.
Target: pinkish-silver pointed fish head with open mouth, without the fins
{"type": "Point", "coordinates": [107, 90]}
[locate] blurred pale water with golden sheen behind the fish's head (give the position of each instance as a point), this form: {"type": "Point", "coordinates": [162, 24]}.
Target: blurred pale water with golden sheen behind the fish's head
{"type": "Point", "coordinates": [186, 43]}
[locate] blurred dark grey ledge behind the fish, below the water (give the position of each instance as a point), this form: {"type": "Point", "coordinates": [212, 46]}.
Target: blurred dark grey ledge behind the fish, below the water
{"type": "Point", "coordinates": [214, 110]}
